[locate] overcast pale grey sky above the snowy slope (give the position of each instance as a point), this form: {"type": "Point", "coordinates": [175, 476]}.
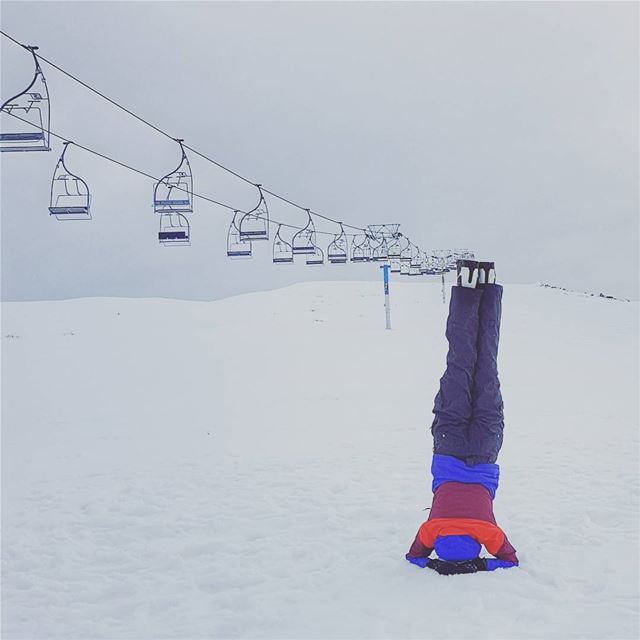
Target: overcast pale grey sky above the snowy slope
{"type": "Point", "coordinates": [507, 127]}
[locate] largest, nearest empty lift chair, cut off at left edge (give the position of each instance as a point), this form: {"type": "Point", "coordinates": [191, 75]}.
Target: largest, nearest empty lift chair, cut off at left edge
{"type": "Point", "coordinates": [26, 116]}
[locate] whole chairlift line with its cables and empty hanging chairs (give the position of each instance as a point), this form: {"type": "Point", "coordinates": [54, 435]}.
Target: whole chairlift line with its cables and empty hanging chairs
{"type": "Point", "coordinates": [174, 226]}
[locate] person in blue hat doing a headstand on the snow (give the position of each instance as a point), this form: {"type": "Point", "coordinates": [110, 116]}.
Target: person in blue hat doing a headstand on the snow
{"type": "Point", "coordinates": [467, 435]}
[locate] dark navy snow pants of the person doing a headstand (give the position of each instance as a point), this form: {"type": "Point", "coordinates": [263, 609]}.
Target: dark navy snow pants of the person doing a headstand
{"type": "Point", "coordinates": [469, 420]}
